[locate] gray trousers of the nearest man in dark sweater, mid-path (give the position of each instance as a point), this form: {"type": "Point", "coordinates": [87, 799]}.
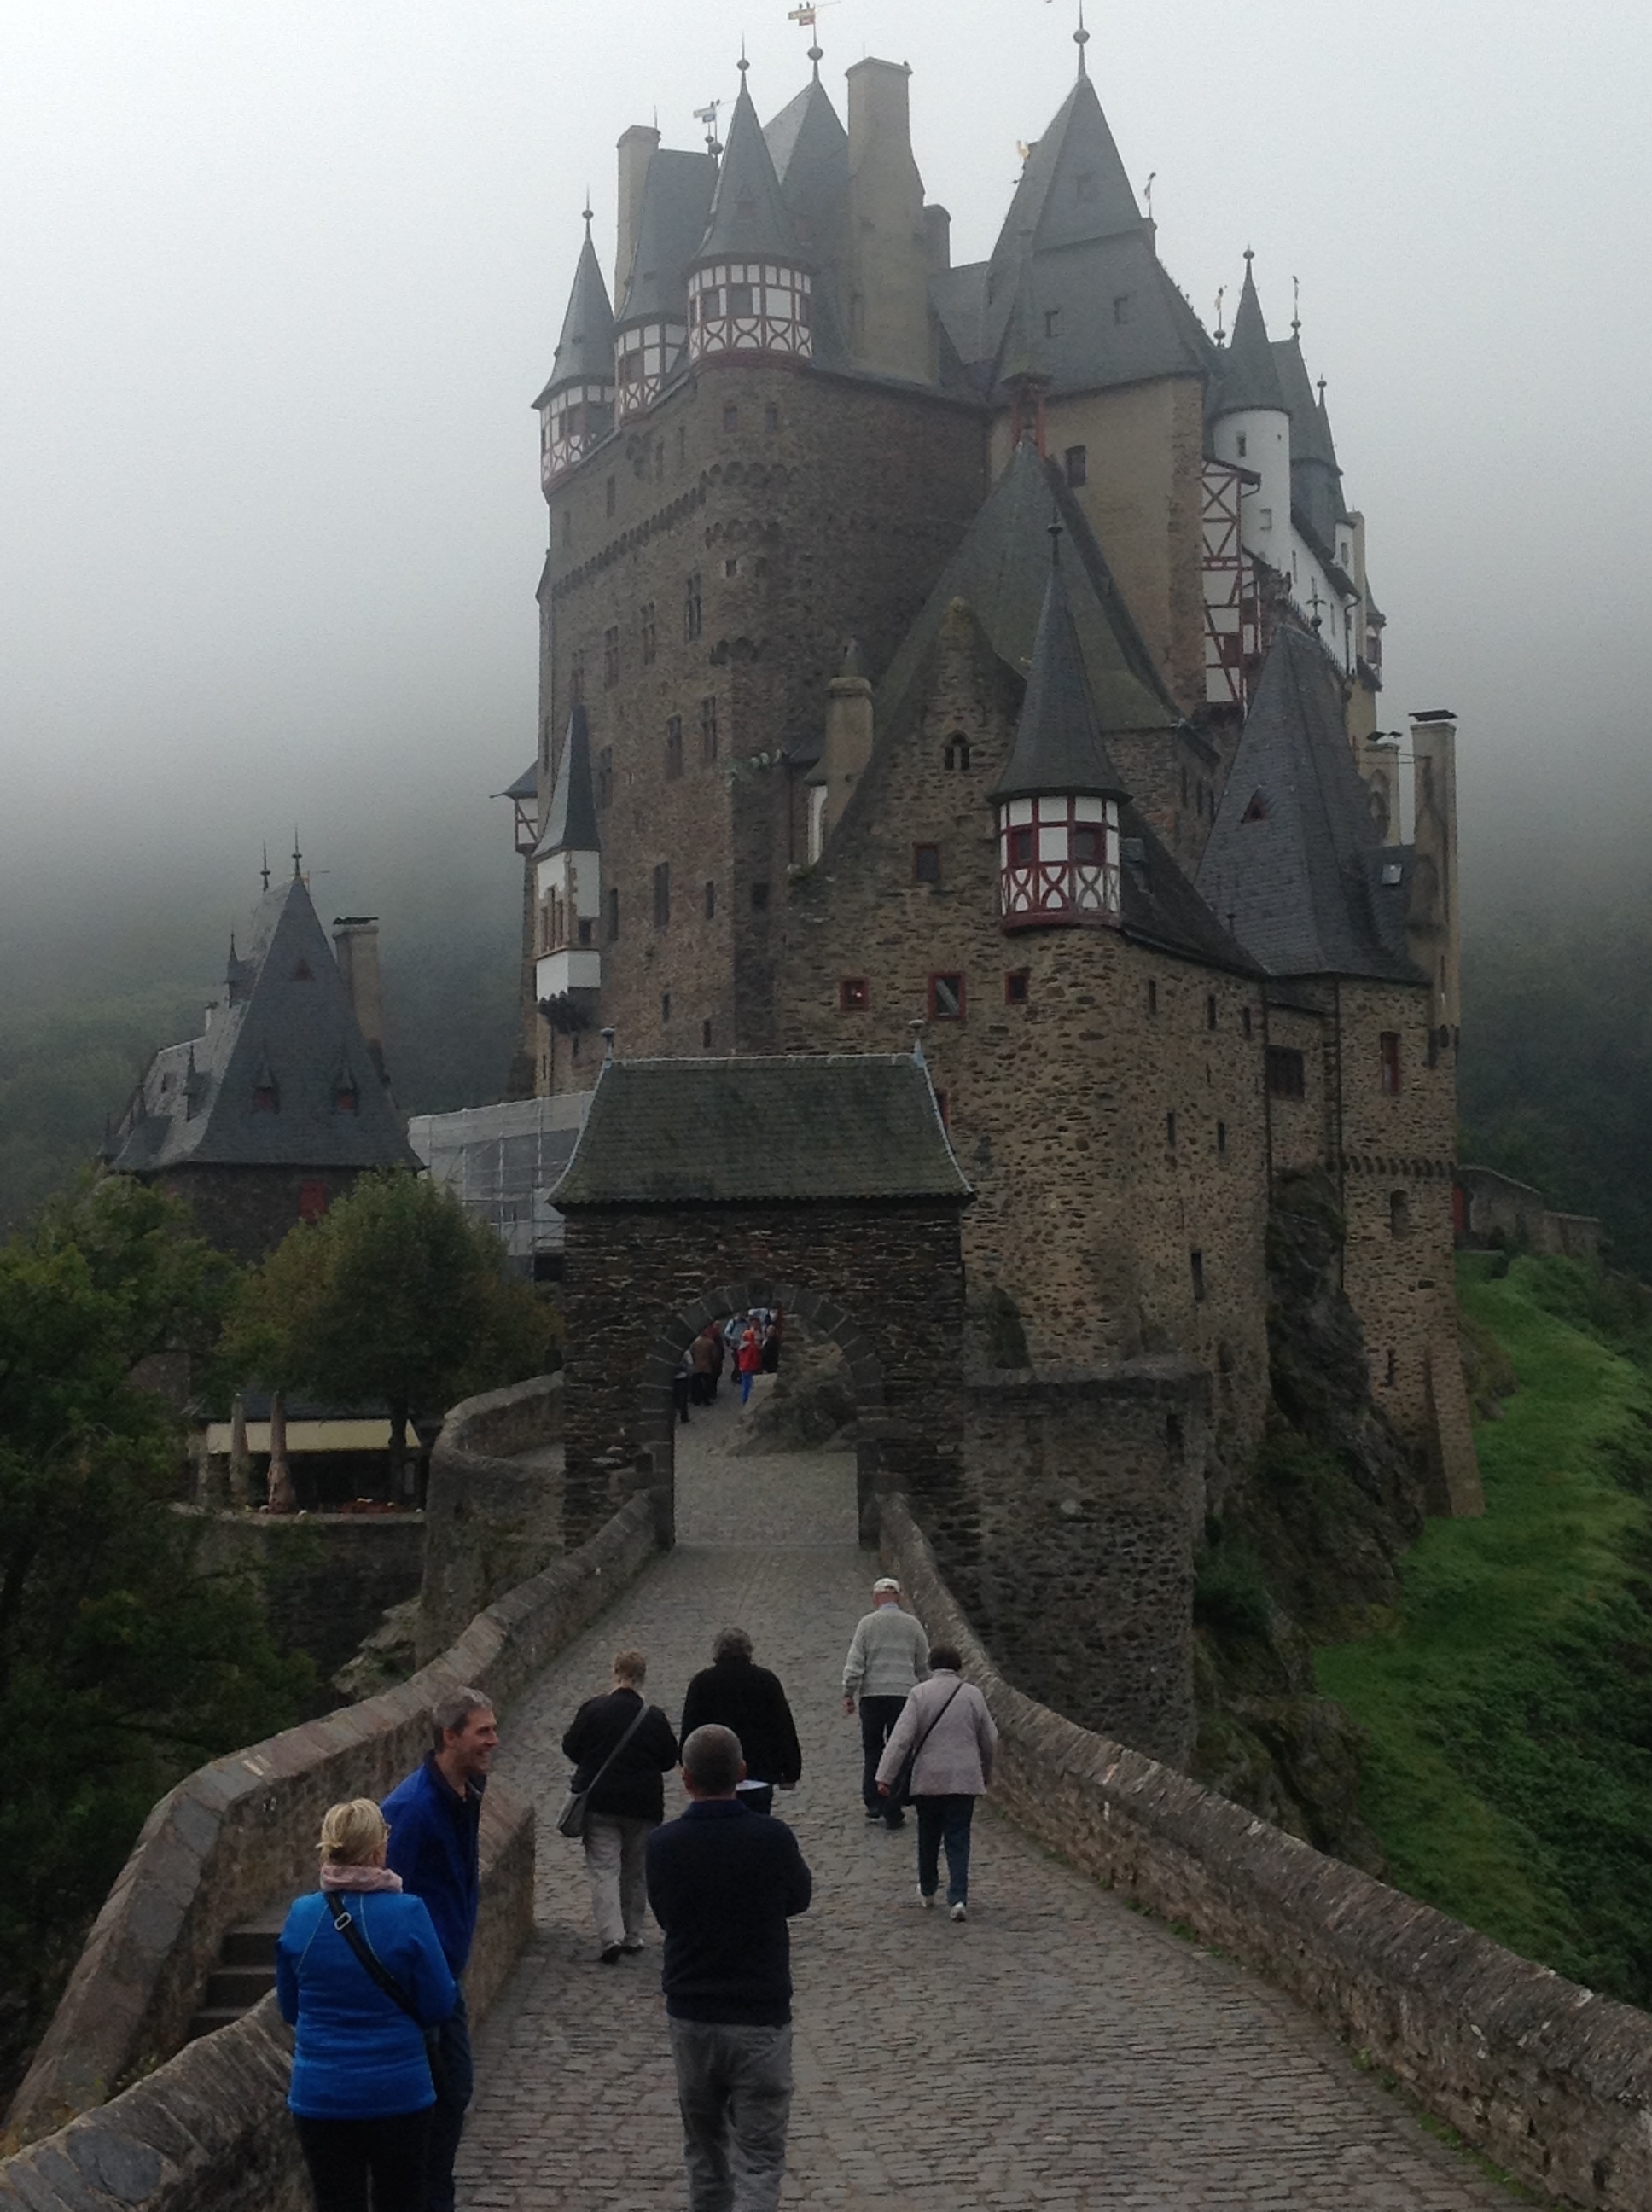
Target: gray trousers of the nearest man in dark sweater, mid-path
{"type": "Point", "coordinates": [735, 2094]}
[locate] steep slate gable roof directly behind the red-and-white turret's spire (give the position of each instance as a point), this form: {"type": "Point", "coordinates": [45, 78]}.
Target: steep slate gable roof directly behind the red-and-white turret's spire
{"type": "Point", "coordinates": [1001, 572]}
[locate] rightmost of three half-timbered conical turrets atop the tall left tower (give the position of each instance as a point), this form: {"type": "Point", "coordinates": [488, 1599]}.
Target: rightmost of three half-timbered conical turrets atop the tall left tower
{"type": "Point", "coordinates": [749, 289]}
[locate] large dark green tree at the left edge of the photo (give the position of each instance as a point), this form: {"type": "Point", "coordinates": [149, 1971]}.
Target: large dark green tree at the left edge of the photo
{"type": "Point", "coordinates": [121, 1665]}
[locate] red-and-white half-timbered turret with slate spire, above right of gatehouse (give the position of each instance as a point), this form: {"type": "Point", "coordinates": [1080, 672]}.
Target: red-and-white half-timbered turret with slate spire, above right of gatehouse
{"type": "Point", "coordinates": [1058, 800]}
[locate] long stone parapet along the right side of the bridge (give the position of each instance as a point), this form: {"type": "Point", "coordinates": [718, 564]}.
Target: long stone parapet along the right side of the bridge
{"type": "Point", "coordinates": [1547, 2078]}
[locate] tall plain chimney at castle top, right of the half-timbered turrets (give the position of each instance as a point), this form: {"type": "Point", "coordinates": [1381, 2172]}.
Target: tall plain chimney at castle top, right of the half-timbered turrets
{"type": "Point", "coordinates": [890, 244]}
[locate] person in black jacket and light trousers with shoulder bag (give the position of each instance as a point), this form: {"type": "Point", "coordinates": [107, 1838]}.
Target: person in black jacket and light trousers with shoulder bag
{"type": "Point", "coordinates": [625, 1804]}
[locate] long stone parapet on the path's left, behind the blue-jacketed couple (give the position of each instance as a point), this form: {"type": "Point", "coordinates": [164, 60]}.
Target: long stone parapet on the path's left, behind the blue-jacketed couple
{"type": "Point", "coordinates": [238, 1835]}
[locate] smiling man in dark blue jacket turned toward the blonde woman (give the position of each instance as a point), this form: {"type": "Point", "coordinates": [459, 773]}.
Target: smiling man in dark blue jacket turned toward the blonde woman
{"type": "Point", "coordinates": [435, 1844]}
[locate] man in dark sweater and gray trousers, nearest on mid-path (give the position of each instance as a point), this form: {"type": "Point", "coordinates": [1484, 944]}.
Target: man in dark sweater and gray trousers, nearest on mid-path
{"type": "Point", "coordinates": [724, 1881]}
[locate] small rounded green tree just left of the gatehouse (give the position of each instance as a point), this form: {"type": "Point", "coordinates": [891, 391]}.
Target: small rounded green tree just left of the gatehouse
{"type": "Point", "coordinates": [393, 1295]}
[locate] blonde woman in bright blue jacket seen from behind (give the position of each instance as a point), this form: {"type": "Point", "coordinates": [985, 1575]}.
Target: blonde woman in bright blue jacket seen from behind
{"type": "Point", "coordinates": [362, 1979]}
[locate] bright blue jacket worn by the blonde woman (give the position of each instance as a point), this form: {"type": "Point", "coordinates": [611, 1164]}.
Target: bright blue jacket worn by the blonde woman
{"type": "Point", "coordinates": [357, 2054]}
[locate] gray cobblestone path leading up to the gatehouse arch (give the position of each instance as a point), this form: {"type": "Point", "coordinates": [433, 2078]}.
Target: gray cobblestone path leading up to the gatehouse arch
{"type": "Point", "coordinates": [1058, 2052]}
